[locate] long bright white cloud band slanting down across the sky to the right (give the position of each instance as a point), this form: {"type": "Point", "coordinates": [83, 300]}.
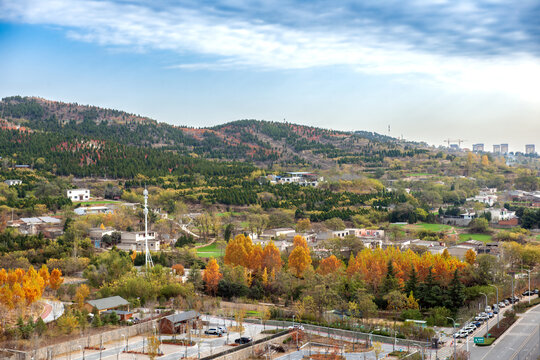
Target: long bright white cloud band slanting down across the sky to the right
{"type": "Point", "coordinates": [257, 44]}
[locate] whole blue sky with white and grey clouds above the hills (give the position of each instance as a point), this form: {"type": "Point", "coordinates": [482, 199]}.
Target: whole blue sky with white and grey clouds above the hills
{"type": "Point", "coordinates": [432, 70]}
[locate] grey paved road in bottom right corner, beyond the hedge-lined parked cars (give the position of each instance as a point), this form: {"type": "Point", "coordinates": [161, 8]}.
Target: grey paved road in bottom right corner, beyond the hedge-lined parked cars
{"type": "Point", "coordinates": [518, 341]}
